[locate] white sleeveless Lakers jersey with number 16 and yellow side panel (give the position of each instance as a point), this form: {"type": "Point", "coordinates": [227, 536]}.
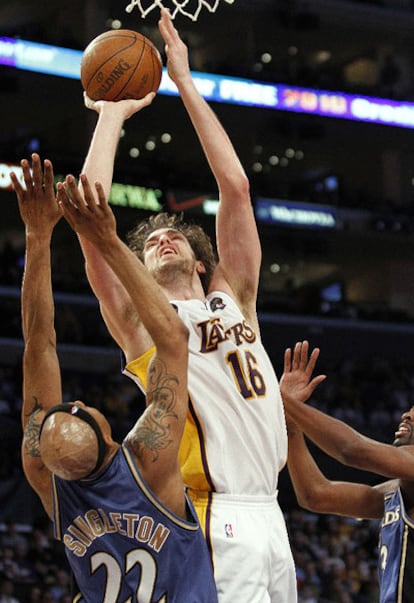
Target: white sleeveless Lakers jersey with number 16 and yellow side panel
{"type": "Point", "coordinates": [235, 439]}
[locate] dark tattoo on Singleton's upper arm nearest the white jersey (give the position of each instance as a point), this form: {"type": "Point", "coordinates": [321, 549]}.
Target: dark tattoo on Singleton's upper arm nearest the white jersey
{"type": "Point", "coordinates": [152, 433]}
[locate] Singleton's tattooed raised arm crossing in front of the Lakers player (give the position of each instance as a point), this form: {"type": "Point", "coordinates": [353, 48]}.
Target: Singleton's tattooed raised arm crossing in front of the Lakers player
{"type": "Point", "coordinates": [167, 403]}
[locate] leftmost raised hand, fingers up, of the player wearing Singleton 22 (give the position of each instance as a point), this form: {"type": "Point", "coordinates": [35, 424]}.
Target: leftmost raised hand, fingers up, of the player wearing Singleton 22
{"type": "Point", "coordinates": [37, 200]}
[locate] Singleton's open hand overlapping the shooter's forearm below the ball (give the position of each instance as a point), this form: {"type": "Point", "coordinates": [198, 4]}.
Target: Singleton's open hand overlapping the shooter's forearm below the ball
{"type": "Point", "coordinates": [88, 216]}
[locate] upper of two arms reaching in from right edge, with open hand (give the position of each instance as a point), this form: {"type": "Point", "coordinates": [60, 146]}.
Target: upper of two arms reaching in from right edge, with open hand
{"type": "Point", "coordinates": [335, 437]}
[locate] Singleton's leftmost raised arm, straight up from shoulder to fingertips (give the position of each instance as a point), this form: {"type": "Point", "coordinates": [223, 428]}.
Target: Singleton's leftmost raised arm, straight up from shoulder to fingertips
{"type": "Point", "coordinates": [41, 373]}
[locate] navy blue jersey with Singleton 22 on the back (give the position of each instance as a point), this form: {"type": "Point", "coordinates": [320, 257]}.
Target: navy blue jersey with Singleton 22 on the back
{"type": "Point", "coordinates": [124, 545]}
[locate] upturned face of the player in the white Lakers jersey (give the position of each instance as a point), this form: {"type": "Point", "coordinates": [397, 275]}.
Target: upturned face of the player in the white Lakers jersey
{"type": "Point", "coordinates": [166, 246]}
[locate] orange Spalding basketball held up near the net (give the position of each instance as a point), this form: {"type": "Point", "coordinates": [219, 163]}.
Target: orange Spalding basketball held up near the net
{"type": "Point", "coordinates": [120, 64]}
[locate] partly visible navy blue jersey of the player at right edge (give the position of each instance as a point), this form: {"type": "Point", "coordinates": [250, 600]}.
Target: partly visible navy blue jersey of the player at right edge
{"type": "Point", "coordinates": [396, 552]}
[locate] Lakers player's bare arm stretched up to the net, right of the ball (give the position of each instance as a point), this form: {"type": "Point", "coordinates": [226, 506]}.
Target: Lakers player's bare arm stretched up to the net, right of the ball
{"type": "Point", "coordinates": [237, 238]}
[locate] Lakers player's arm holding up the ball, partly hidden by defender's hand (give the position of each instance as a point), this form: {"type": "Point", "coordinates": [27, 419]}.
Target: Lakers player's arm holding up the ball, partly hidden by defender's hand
{"type": "Point", "coordinates": [119, 314]}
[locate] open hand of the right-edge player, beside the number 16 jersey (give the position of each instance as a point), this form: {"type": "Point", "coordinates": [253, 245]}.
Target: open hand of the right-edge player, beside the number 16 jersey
{"type": "Point", "coordinates": [296, 382]}
